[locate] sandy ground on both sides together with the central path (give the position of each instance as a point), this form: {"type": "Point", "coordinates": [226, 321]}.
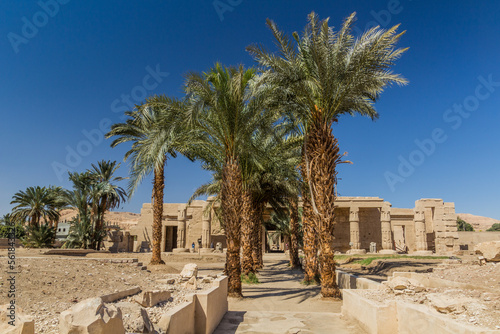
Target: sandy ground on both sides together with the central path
{"type": "Point", "coordinates": [47, 285]}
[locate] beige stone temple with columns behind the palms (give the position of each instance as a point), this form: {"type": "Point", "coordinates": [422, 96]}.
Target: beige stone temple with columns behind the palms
{"type": "Point", "coordinates": [363, 224]}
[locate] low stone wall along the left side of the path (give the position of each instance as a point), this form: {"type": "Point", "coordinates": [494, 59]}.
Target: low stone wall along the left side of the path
{"type": "Point", "coordinates": [201, 314]}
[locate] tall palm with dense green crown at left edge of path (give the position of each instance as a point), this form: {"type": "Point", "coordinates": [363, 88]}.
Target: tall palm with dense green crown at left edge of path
{"type": "Point", "coordinates": [222, 109]}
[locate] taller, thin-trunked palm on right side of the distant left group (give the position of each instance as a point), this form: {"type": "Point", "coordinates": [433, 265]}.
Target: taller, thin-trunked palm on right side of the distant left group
{"type": "Point", "coordinates": [110, 196]}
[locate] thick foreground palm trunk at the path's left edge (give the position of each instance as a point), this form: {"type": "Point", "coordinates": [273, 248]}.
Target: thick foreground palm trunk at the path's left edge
{"type": "Point", "coordinates": [231, 194]}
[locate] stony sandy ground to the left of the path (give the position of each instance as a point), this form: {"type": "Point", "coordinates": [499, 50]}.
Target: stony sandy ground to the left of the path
{"type": "Point", "coordinates": [48, 285]}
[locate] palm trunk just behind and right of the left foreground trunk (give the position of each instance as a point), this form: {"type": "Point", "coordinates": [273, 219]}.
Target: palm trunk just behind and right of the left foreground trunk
{"type": "Point", "coordinates": [246, 232]}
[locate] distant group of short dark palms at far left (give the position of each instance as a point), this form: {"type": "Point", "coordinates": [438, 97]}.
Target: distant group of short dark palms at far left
{"type": "Point", "coordinates": [94, 192]}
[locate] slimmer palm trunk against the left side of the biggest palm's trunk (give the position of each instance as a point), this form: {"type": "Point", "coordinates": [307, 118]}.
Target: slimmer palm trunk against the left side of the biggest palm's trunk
{"type": "Point", "coordinates": [309, 228]}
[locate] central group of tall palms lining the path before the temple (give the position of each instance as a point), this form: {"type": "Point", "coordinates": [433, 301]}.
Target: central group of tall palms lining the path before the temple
{"type": "Point", "coordinates": [266, 135]}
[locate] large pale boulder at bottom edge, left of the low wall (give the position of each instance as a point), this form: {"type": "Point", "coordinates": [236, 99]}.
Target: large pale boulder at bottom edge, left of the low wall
{"type": "Point", "coordinates": [91, 316]}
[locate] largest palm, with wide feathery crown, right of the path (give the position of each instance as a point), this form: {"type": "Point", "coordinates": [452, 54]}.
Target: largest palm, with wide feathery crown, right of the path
{"type": "Point", "coordinates": [322, 75]}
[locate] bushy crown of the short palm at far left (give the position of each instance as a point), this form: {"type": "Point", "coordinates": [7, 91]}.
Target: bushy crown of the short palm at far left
{"type": "Point", "coordinates": [34, 204]}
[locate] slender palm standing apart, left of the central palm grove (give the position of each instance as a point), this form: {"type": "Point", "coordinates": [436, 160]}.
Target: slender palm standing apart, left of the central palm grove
{"type": "Point", "coordinates": [156, 131]}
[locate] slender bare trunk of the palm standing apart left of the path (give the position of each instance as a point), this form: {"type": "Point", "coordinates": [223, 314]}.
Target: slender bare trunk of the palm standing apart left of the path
{"type": "Point", "coordinates": [158, 186]}
